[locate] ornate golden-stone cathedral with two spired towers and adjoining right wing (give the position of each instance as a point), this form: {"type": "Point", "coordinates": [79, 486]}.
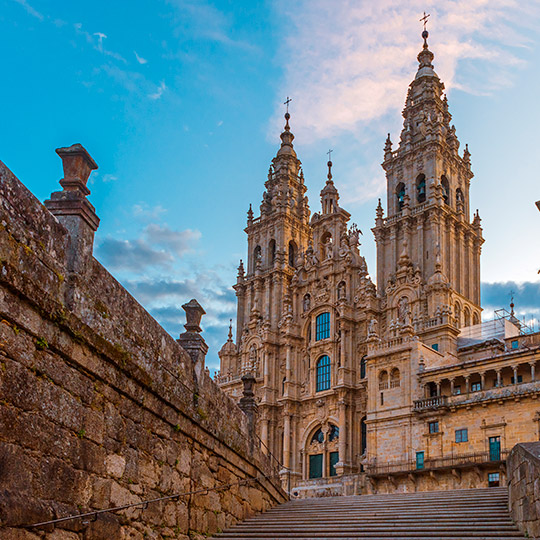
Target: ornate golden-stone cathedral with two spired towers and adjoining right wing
{"type": "Point", "coordinates": [393, 386]}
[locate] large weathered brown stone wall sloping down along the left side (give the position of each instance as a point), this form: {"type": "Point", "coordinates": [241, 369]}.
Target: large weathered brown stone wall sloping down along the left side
{"type": "Point", "coordinates": [99, 406]}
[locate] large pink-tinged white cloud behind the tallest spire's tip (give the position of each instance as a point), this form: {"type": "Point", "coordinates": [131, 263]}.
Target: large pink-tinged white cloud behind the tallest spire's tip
{"type": "Point", "coordinates": [348, 62]}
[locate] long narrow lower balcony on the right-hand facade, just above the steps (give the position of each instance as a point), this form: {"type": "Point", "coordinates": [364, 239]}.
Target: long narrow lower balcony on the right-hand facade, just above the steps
{"type": "Point", "coordinates": [462, 461]}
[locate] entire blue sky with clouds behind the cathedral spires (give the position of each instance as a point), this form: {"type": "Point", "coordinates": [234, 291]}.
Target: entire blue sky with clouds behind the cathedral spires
{"type": "Point", "coordinates": [180, 104]}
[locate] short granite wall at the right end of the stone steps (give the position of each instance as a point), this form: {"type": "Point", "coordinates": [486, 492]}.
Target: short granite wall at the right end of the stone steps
{"type": "Point", "coordinates": [523, 471]}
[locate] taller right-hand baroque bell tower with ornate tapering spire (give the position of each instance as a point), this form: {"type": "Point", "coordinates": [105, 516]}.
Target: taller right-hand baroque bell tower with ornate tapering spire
{"type": "Point", "coordinates": [428, 249]}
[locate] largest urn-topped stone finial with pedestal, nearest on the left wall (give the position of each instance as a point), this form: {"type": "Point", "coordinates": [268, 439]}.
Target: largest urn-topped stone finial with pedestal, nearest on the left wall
{"type": "Point", "coordinates": [72, 208]}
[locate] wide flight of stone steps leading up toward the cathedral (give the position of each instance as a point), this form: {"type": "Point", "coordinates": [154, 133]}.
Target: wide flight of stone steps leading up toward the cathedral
{"type": "Point", "coordinates": [481, 514]}
